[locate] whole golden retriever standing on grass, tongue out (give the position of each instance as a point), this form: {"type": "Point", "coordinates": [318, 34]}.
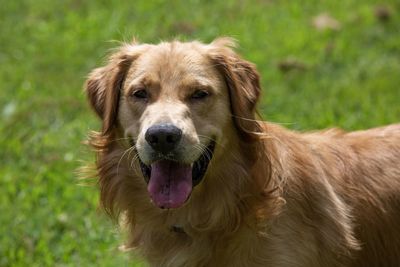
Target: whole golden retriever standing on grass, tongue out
{"type": "Point", "coordinates": [197, 180]}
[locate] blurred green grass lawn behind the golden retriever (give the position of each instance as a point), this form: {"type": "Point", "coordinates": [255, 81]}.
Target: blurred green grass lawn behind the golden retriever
{"type": "Point", "coordinates": [323, 64]}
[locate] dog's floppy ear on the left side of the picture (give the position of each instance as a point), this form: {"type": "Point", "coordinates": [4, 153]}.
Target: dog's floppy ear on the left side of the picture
{"type": "Point", "coordinates": [104, 84]}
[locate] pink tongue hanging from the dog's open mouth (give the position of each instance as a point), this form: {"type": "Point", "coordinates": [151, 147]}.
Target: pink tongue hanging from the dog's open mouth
{"type": "Point", "coordinates": [170, 183]}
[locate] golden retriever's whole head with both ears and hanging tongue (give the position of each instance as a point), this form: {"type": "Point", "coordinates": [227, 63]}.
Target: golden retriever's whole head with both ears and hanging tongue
{"type": "Point", "coordinates": [180, 105]}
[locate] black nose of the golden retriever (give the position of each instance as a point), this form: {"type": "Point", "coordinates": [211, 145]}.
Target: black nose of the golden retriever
{"type": "Point", "coordinates": [163, 137]}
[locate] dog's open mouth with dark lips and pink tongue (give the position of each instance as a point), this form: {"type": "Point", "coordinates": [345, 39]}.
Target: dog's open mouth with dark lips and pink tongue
{"type": "Point", "coordinates": [170, 182]}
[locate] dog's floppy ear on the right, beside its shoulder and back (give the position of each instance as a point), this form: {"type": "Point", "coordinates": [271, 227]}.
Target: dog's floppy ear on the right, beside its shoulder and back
{"type": "Point", "coordinates": [243, 82]}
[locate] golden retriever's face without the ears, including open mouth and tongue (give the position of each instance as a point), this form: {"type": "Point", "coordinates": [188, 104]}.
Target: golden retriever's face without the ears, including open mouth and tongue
{"type": "Point", "coordinates": [173, 107]}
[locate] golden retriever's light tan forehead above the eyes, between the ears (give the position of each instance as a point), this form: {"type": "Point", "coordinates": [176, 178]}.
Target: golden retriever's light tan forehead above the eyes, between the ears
{"type": "Point", "coordinates": [175, 61]}
